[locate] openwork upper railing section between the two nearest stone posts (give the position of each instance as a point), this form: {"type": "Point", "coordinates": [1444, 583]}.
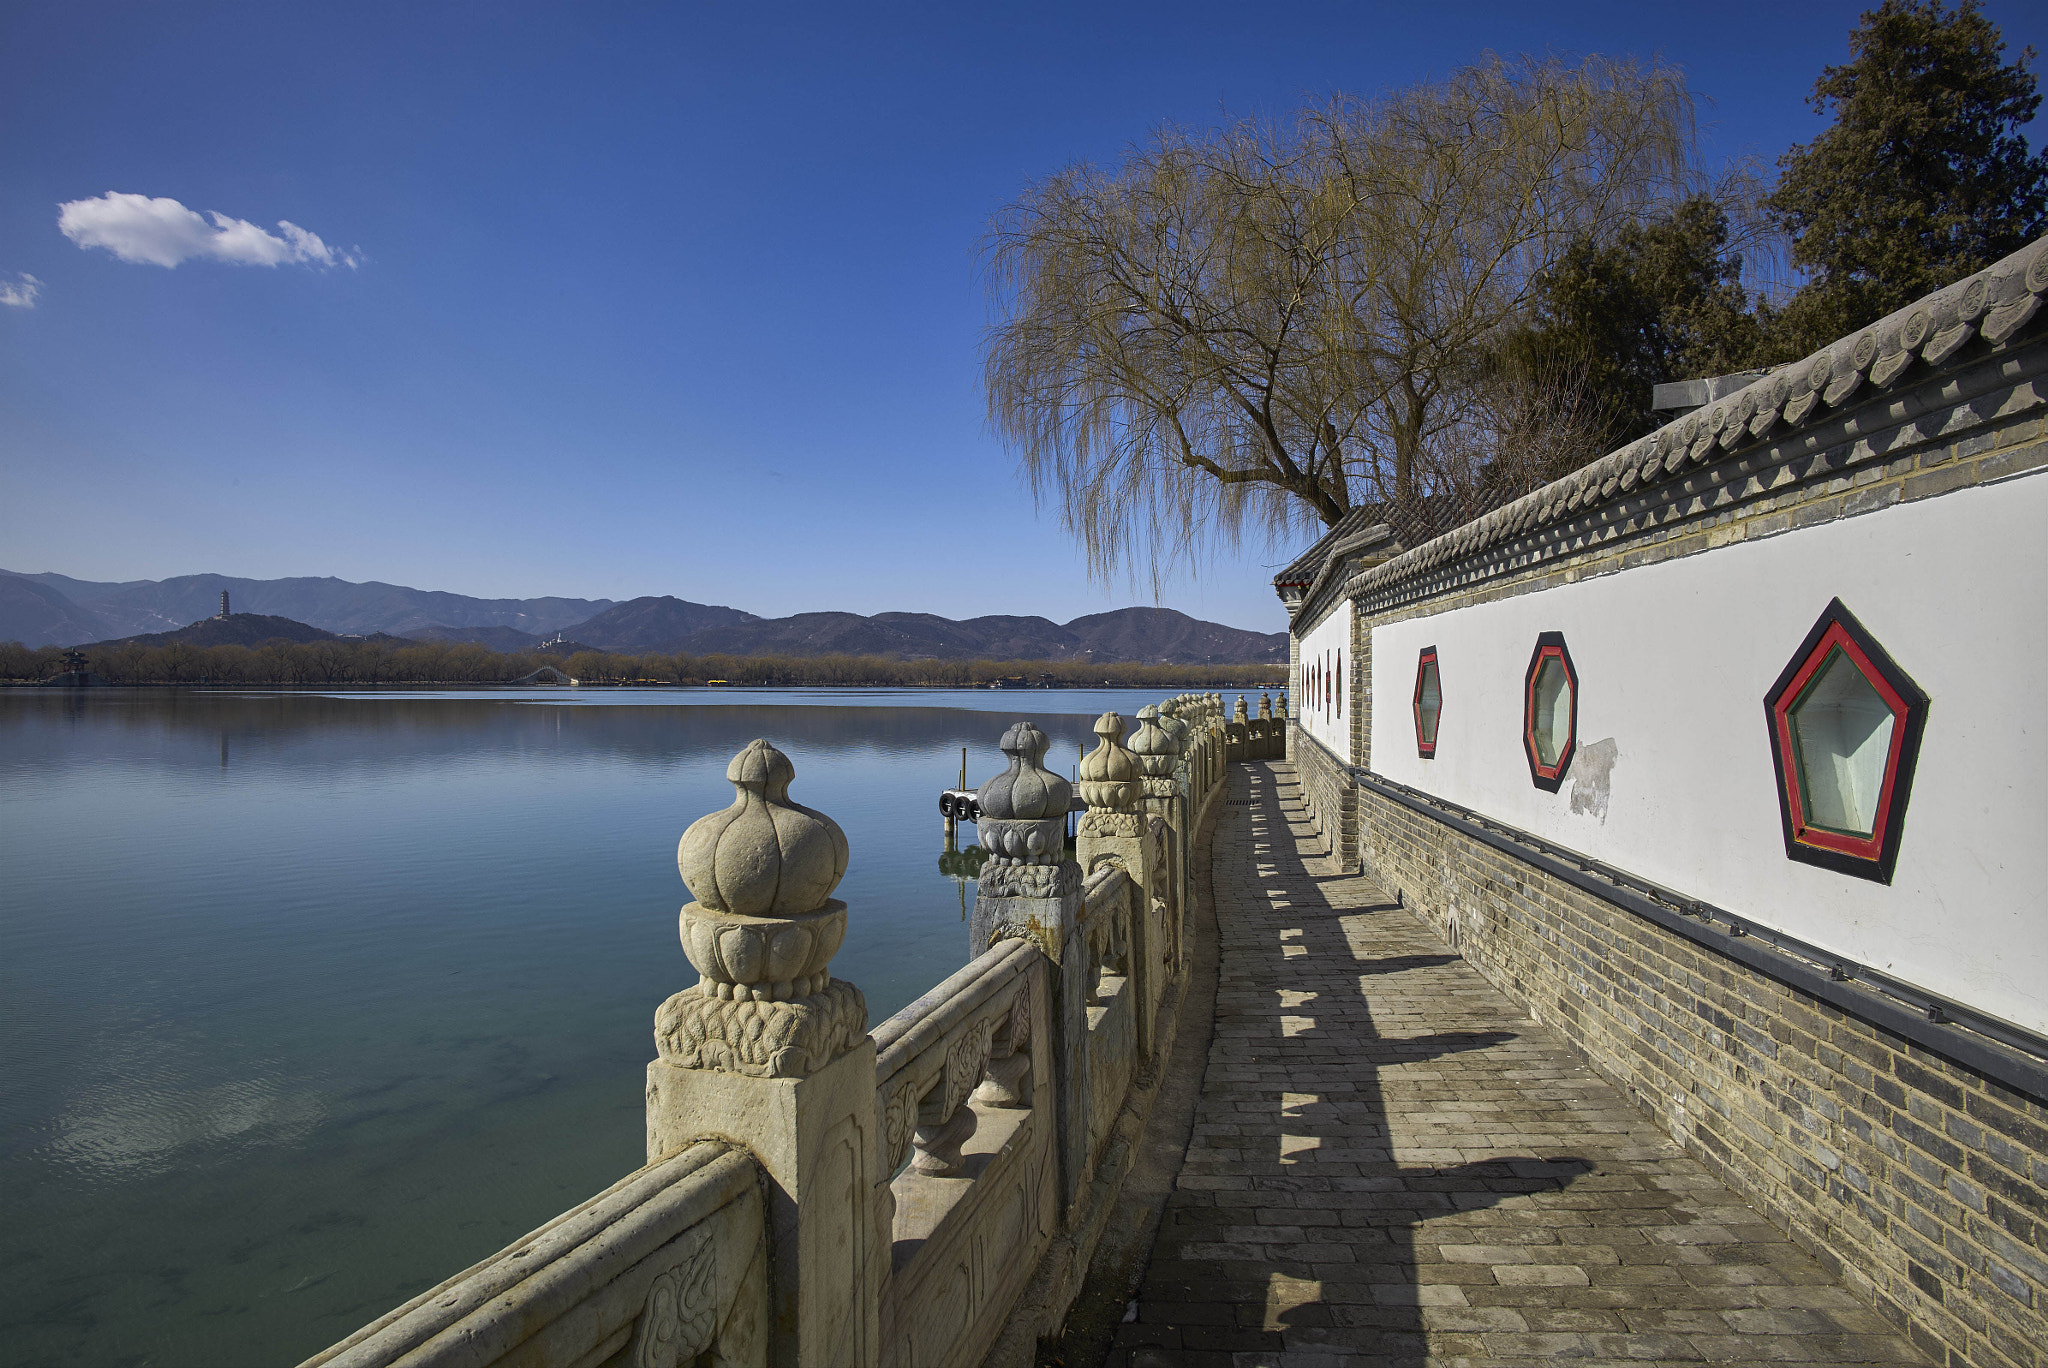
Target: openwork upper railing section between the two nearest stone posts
{"type": "Point", "coordinates": [966, 1039]}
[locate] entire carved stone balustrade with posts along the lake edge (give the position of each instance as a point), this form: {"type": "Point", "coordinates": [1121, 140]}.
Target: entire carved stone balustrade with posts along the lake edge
{"type": "Point", "coordinates": [927, 1195]}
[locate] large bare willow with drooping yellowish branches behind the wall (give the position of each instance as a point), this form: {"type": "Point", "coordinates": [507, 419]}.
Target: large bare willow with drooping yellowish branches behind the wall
{"type": "Point", "coordinates": [1258, 329]}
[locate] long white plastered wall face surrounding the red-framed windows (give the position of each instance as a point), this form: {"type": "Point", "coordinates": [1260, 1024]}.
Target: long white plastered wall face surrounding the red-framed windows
{"type": "Point", "coordinates": [1674, 662]}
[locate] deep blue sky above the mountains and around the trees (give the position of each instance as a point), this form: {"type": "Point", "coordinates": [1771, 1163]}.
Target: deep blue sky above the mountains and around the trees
{"type": "Point", "coordinates": [620, 300]}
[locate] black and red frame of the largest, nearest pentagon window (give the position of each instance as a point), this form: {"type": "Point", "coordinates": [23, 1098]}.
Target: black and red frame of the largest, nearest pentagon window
{"type": "Point", "coordinates": [1865, 857]}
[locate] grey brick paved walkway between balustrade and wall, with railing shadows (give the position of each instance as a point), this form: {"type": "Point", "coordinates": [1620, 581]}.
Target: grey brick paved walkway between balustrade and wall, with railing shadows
{"type": "Point", "coordinates": [1396, 1166]}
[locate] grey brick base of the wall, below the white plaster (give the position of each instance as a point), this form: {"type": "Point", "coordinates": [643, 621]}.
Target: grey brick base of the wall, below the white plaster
{"type": "Point", "coordinates": [1922, 1185]}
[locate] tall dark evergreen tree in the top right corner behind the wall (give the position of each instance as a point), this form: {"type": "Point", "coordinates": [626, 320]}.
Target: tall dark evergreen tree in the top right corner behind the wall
{"type": "Point", "coordinates": [1922, 179]}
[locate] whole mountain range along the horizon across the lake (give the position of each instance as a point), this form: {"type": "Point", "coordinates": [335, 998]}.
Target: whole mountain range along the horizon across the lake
{"type": "Point", "coordinates": [60, 611]}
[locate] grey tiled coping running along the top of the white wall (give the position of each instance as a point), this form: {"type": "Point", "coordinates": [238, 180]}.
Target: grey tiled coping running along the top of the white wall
{"type": "Point", "coordinates": [1992, 304]}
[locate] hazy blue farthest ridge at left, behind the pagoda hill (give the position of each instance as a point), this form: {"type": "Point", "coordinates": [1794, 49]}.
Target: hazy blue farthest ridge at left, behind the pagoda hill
{"type": "Point", "coordinates": [333, 605]}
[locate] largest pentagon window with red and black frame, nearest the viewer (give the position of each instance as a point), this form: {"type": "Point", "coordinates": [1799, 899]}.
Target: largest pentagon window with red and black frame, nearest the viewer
{"type": "Point", "coordinates": [1846, 728]}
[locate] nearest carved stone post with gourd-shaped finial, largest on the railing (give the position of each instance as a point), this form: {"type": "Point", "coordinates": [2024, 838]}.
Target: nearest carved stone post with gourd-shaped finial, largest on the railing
{"type": "Point", "coordinates": [773, 1054]}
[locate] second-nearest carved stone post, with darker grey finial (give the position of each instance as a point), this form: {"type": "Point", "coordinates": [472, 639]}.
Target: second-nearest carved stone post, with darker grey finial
{"type": "Point", "coordinates": [1029, 888]}
